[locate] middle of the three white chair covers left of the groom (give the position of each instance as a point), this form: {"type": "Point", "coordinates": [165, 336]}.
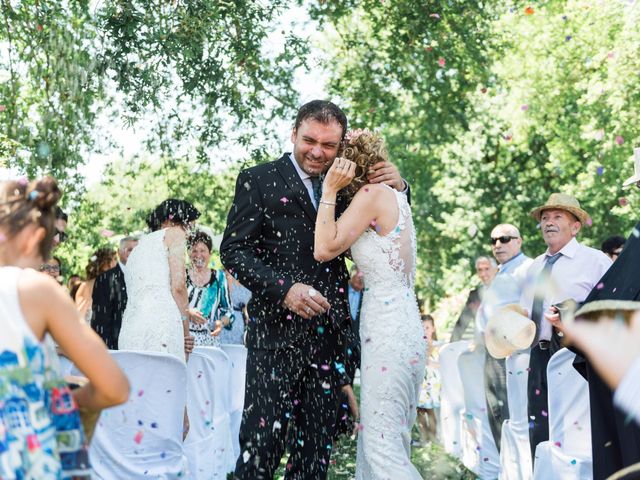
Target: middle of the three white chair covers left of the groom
{"type": "Point", "coordinates": [209, 444]}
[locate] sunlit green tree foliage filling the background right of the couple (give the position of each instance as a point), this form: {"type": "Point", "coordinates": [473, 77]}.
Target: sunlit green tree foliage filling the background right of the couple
{"type": "Point", "coordinates": [488, 107]}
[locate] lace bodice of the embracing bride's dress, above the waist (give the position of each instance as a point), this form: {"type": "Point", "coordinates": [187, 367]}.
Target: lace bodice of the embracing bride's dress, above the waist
{"type": "Point", "coordinates": [389, 259]}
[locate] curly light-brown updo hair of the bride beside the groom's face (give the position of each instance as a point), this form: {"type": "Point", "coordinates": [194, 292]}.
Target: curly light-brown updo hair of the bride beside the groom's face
{"type": "Point", "coordinates": [364, 148]}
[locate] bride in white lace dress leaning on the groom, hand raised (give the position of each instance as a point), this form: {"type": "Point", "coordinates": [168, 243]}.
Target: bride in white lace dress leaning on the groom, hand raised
{"type": "Point", "coordinates": [378, 227]}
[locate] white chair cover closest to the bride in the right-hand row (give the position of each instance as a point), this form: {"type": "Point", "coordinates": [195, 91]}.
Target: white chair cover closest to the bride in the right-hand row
{"type": "Point", "coordinates": [451, 396]}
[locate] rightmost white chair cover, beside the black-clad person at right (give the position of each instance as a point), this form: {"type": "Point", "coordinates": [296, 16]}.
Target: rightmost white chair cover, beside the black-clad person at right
{"type": "Point", "coordinates": [567, 454]}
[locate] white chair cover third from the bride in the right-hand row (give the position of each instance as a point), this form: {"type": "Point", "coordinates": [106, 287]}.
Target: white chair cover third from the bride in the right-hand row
{"type": "Point", "coordinates": [515, 453]}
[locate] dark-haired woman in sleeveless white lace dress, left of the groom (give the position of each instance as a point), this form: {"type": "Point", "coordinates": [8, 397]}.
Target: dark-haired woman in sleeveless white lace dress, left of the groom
{"type": "Point", "coordinates": [157, 314]}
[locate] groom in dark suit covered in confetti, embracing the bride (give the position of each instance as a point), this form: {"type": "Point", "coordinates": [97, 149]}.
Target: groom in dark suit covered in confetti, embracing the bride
{"type": "Point", "coordinates": [299, 314]}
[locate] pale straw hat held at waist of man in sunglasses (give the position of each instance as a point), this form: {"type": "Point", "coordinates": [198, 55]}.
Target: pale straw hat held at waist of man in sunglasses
{"type": "Point", "coordinates": [507, 331]}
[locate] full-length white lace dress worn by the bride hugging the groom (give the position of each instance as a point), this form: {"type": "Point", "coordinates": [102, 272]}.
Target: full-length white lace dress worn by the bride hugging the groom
{"type": "Point", "coordinates": [393, 350]}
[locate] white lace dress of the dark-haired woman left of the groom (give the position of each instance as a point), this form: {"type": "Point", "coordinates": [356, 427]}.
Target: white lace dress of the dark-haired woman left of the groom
{"type": "Point", "coordinates": [151, 320]}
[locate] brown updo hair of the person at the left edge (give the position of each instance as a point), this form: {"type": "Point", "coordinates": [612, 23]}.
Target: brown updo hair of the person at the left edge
{"type": "Point", "coordinates": [23, 203]}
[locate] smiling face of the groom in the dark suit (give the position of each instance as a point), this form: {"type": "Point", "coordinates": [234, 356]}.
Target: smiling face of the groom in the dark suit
{"type": "Point", "coordinates": [315, 145]}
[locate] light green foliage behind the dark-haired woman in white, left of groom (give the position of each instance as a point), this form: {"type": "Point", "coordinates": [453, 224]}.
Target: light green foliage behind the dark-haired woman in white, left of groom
{"type": "Point", "coordinates": [120, 203]}
